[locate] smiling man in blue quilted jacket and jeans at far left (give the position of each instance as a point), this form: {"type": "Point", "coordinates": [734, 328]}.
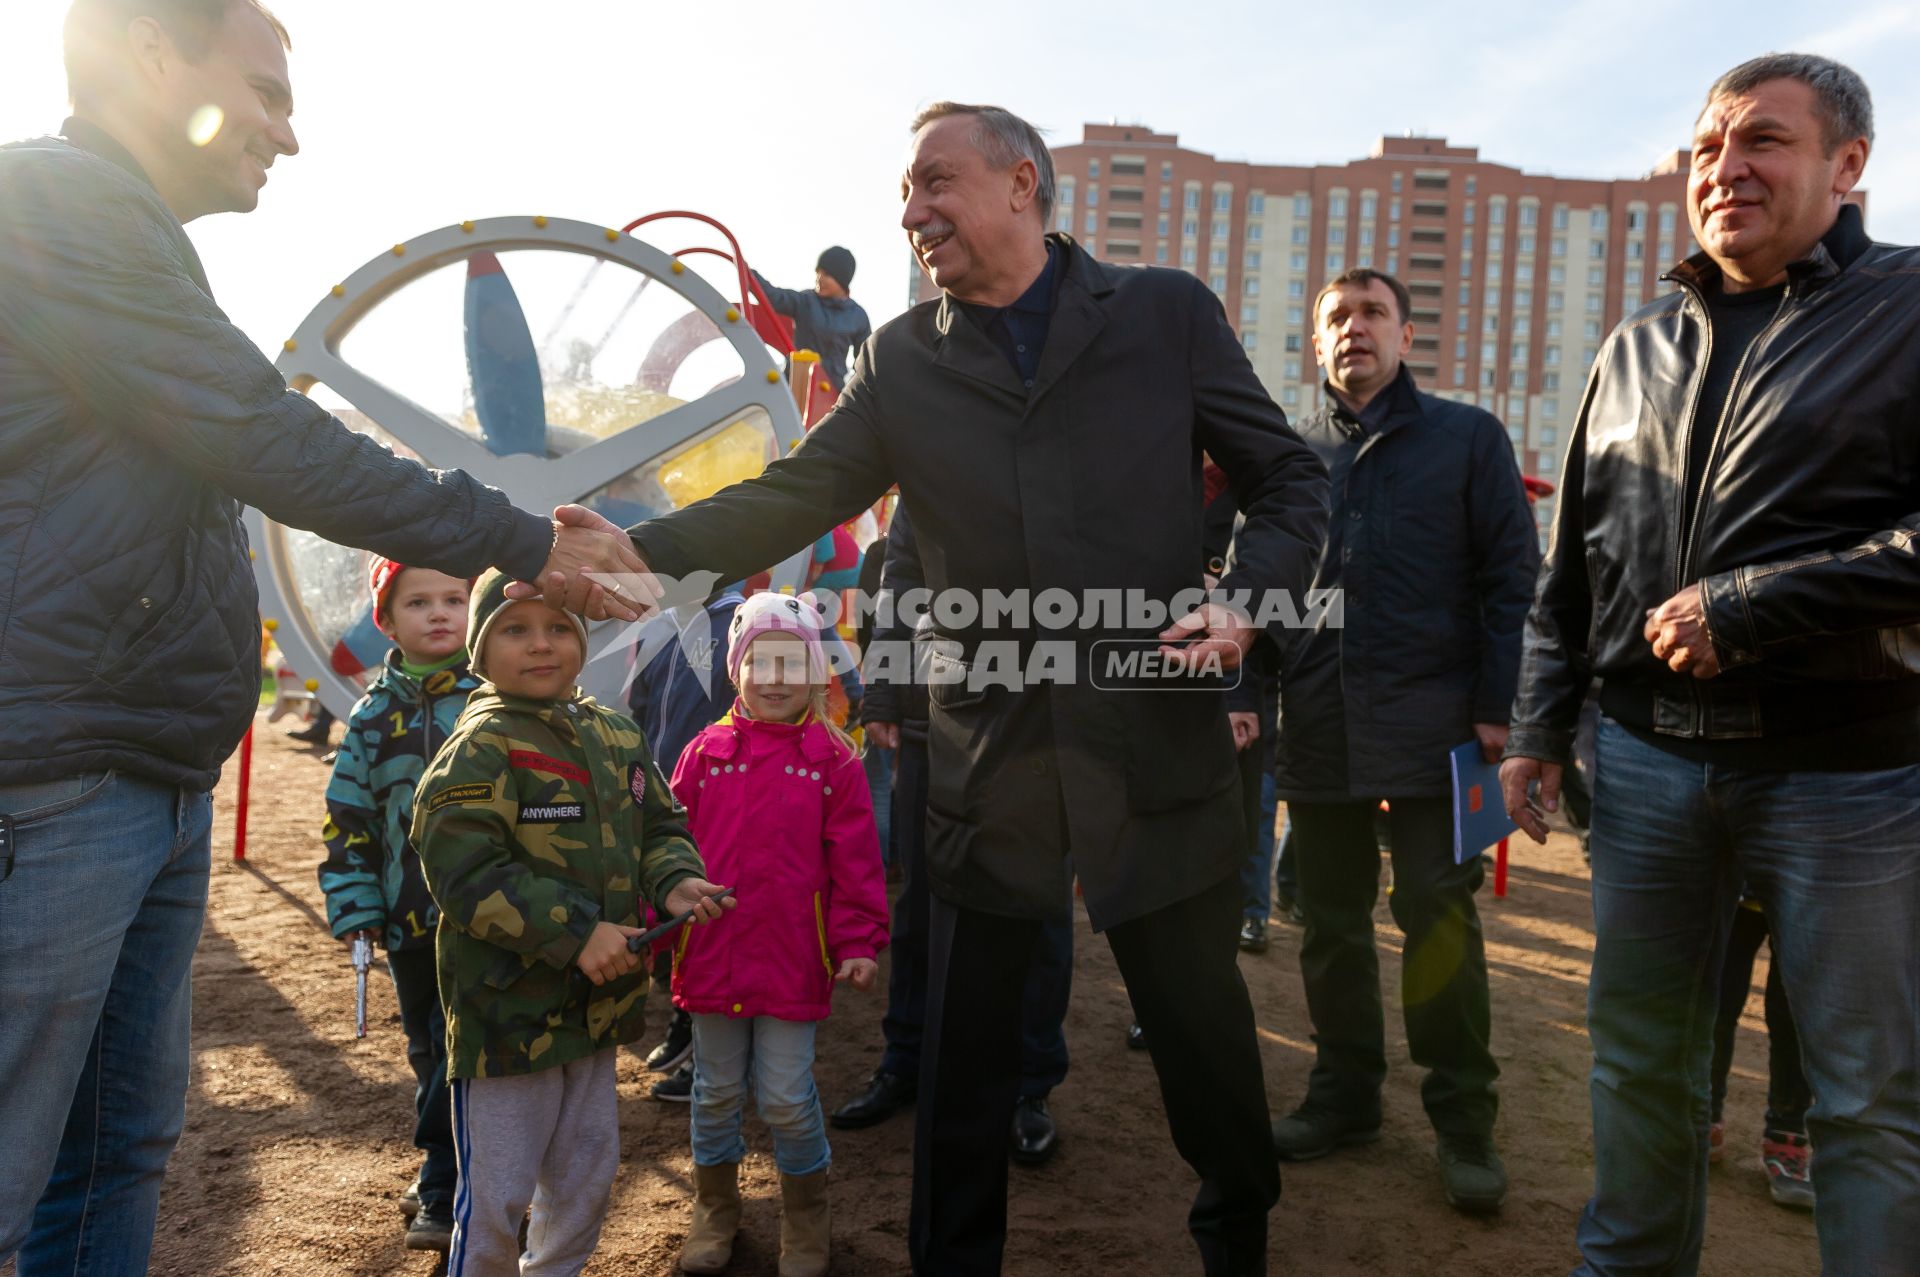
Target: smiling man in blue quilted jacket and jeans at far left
{"type": "Point", "coordinates": [135, 422]}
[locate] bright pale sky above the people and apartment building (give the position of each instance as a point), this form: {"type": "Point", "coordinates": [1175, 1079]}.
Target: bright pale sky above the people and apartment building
{"type": "Point", "coordinates": [790, 122]}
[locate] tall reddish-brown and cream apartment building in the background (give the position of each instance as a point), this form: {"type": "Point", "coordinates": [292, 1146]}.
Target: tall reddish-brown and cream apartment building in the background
{"type": "Point", "coordinates": [1516, 277]}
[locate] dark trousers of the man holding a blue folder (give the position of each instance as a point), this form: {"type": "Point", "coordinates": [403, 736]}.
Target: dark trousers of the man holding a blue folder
{"type": "Point", "coordinates": [1443, 973]}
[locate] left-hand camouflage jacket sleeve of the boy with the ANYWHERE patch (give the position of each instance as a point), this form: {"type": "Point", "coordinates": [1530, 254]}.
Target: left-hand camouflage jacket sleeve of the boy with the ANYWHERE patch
{"type": "Point", "coordinates": [464, 827]}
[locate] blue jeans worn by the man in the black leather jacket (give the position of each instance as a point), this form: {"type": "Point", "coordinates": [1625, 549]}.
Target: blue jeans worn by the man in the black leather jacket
{"type": "Point", "coordinates": [1835, 859]}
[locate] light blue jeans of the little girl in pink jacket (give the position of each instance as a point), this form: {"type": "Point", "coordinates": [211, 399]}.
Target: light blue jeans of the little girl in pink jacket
{"type": "Point", "coordinates": [779, 1059]}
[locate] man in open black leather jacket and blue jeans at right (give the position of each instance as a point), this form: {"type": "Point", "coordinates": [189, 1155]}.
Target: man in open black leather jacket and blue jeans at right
{"type": "Point", "coordinates": [1737, 558]}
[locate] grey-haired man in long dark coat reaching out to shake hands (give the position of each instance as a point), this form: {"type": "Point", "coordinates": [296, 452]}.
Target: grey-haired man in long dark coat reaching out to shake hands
{"type": "Point", "coordinates": [1045, 420]}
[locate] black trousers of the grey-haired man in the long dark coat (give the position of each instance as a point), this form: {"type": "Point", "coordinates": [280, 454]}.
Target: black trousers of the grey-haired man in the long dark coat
{"type": "Point", "coordinates": [1188, 994]}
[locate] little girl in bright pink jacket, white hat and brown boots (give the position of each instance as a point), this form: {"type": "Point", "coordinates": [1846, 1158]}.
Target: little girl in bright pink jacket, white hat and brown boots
{"type": "Point", "coordinates": [779, 806]}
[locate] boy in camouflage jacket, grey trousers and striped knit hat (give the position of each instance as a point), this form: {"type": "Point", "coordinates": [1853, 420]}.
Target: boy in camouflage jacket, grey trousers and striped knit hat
{"type": "Point", "coordinates": [544, 829]}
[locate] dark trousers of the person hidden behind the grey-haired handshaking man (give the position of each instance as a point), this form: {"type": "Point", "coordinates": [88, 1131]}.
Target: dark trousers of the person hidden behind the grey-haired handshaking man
{"type": "Point", "coordinates": [1049, 984]}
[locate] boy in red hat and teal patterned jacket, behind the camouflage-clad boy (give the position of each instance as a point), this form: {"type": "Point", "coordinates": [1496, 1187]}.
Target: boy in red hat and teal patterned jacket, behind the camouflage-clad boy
{"type": "Point", "coordinates": [372, 875]}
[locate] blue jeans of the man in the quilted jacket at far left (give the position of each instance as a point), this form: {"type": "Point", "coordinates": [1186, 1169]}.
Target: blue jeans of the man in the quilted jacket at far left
{"type": "Point", "coordinates": [99, 925]}
